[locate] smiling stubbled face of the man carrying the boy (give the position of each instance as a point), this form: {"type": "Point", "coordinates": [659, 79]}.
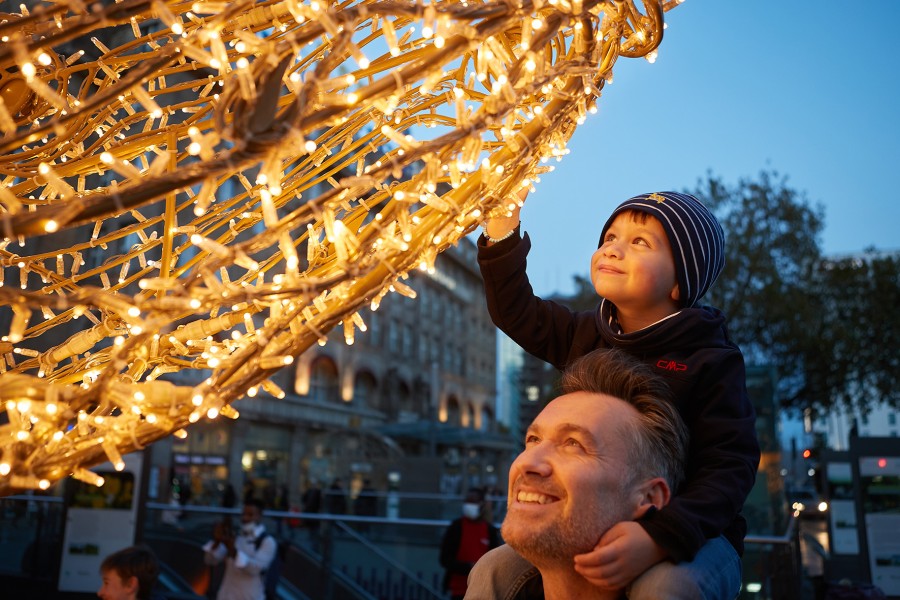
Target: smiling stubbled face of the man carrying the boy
{"type": "Point", "coordinates": [571, 483]}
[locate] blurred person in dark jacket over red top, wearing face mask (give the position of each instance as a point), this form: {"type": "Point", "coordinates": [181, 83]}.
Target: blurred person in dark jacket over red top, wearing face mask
{"type": "Point", "coordinates": [466, 540]}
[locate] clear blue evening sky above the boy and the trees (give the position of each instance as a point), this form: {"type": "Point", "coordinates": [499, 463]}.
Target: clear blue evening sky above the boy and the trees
{"type": "Point", "coordinates": [809, 89]}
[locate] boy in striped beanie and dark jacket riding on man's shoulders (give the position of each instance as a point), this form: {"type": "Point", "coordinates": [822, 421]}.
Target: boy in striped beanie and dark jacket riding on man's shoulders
{"type": "Point", "coordinates": [658, 255]}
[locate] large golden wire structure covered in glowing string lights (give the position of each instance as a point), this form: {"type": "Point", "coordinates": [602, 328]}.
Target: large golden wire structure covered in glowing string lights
{"type": "Point", "coordinates": [218, 185]}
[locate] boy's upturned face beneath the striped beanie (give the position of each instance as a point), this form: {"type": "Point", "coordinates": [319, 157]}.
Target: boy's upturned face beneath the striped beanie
{"type": "Point", "coordinates": [634, 268]}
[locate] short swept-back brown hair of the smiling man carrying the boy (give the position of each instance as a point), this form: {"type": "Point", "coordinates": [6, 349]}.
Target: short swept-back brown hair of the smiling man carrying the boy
{"type": "Point", "coordinates": [660, 438]}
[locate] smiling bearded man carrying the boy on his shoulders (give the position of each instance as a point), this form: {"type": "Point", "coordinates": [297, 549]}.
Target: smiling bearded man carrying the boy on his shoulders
{"type": "Point", "coordinates": [610, 449]}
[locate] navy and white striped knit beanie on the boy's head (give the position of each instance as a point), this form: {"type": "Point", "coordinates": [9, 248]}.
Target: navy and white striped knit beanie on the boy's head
{"type": "Point", "coordinates": [697, 240]}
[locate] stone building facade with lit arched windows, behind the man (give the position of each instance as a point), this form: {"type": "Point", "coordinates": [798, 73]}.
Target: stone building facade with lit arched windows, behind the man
{"type": "Point", "coordinates": [409, 406]}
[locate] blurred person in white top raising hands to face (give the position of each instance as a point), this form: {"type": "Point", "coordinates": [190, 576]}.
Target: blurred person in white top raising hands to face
{"type": "Point", "coordinates": [246, 556]}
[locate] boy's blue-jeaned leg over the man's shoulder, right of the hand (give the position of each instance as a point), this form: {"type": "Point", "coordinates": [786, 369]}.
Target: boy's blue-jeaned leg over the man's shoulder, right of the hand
{"type": "Point", "coordinates": [714, 574]}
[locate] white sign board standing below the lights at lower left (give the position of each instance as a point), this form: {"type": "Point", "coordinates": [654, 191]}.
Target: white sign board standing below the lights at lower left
{"type": "Point", "coordinates": [99, 521]}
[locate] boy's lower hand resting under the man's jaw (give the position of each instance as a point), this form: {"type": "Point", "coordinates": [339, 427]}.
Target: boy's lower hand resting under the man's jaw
{"type": "Point", "coordinates": [623, 553]}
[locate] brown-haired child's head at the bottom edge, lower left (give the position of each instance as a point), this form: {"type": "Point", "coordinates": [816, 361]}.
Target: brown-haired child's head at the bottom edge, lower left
{"type": "Point", "coordinates": [128, 574]}
